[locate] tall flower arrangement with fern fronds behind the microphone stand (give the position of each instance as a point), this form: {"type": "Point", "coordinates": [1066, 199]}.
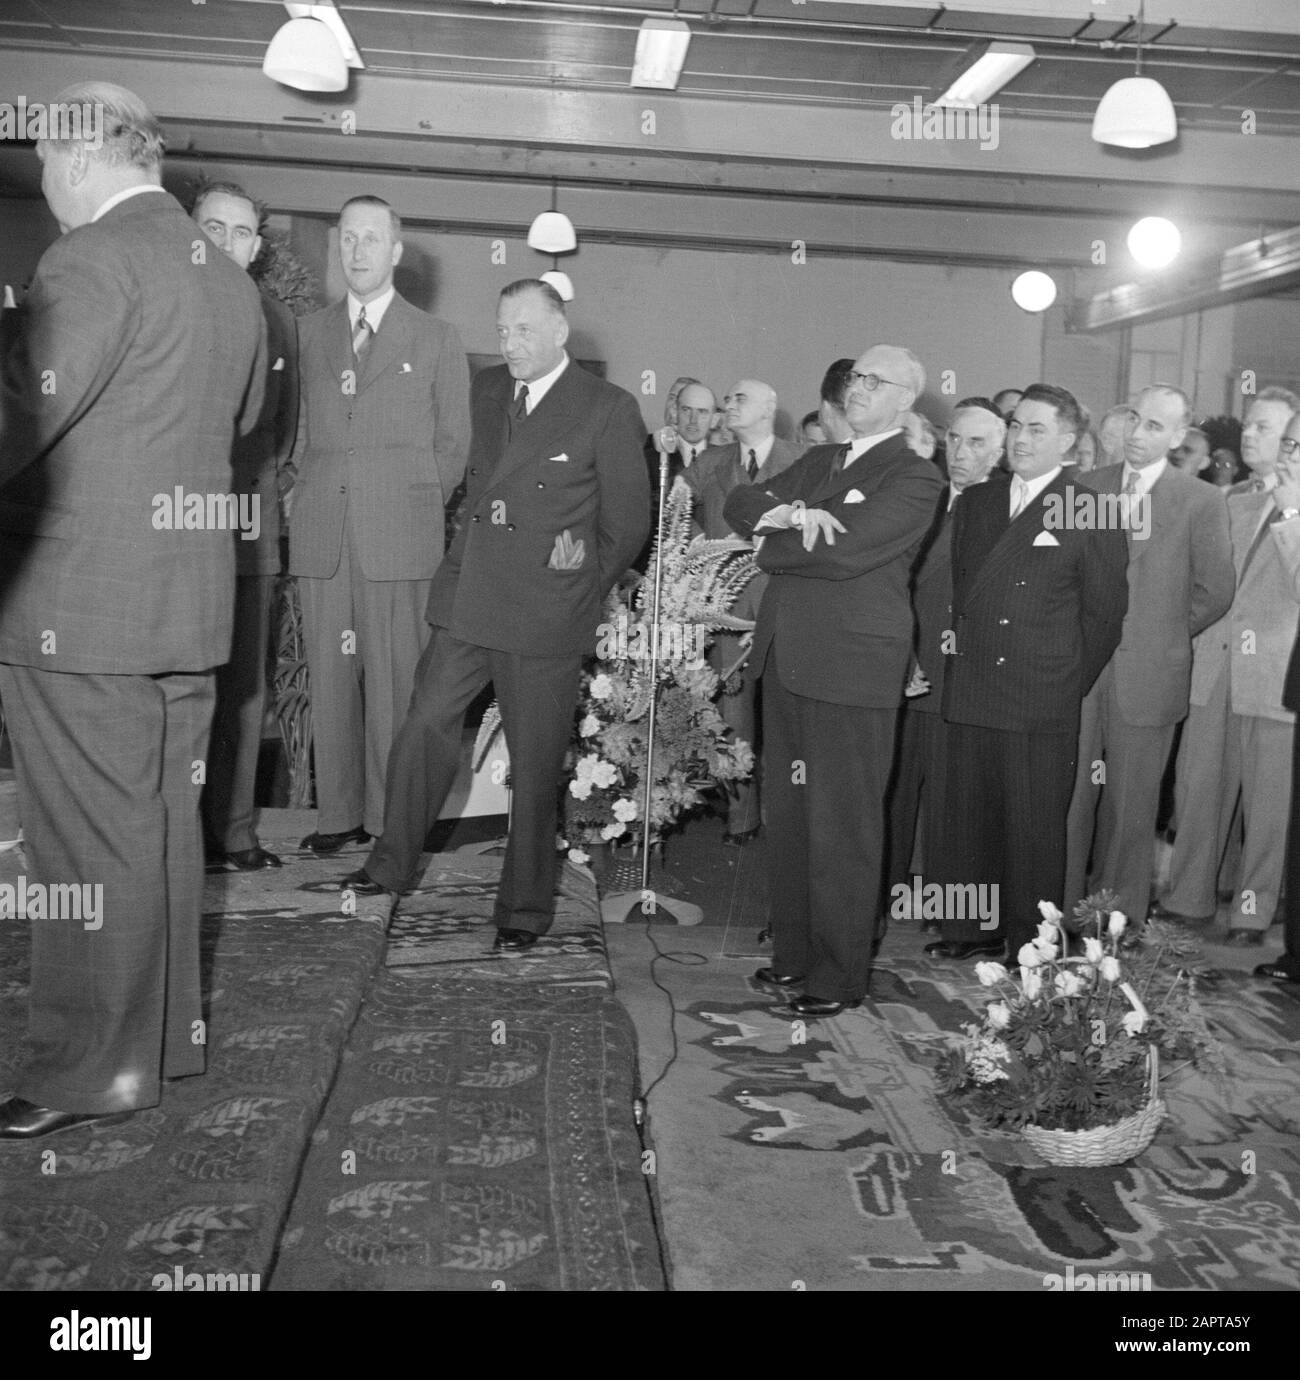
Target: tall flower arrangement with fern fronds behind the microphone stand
{"type": "Point", "coordinates": [693, 749]}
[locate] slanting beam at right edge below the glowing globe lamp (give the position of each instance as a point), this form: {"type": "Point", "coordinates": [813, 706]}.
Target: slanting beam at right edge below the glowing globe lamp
{"type": "Point", "coordinates": [1259, 268]}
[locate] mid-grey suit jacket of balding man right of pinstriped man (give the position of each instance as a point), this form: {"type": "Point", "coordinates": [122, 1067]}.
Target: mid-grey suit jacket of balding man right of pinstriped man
{"type": "Point", "coordinates": [1181, 582]}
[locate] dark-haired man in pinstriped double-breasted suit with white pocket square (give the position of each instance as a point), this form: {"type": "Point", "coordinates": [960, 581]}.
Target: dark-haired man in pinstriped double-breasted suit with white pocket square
{"type": "Point", "coordinates": [1038, 601]}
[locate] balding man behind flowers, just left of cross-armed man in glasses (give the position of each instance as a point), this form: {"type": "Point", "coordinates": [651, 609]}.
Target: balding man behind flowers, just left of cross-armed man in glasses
{"type": "Point", "coordinates": [756, 457]}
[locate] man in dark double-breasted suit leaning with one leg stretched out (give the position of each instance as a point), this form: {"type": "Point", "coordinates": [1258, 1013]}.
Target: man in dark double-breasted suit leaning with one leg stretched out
{"type": "Point", "coordinates": [557, 509]}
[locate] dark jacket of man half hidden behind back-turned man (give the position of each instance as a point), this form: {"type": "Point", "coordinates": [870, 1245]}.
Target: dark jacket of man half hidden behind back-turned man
{"type": "Point", "coordinates": [260, 456]}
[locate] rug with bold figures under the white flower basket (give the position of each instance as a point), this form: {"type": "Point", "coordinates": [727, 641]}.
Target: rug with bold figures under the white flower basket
{"type": "Point", "coordinates": [833, 1164]}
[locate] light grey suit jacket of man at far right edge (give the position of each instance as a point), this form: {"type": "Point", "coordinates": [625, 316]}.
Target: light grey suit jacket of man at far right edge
{"type": "Point", "coordinates": [1252, 642]}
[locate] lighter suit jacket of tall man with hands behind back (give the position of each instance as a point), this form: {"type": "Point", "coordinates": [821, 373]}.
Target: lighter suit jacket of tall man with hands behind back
{"type": "Point", "coordinates": [386, 445]}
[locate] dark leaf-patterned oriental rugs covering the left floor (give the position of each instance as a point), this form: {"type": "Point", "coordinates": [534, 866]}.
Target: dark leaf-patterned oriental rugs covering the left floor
{"type": "Point", "coordinates": [507, 1152]}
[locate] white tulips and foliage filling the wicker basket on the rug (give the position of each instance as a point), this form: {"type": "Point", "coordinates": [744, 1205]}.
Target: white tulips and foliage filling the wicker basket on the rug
{"type": "Point", "coordinates": [1066, 1043]}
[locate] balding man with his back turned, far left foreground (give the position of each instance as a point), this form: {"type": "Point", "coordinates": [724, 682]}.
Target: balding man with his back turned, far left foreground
{"type": "Point", "coordinates": [115, 608]}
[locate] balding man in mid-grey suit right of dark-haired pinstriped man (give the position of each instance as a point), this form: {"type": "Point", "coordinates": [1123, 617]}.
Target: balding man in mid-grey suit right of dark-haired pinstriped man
{"type": "Point", "coordinates": [1181, 582]}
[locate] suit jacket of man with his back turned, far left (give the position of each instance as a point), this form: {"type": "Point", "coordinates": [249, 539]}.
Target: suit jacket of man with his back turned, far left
{"type": "Point", "coordinates": [158, 364]}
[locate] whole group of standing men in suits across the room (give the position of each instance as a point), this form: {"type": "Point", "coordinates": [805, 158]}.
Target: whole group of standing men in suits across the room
{"type": "Point", "coordinates": [965, 648]}
